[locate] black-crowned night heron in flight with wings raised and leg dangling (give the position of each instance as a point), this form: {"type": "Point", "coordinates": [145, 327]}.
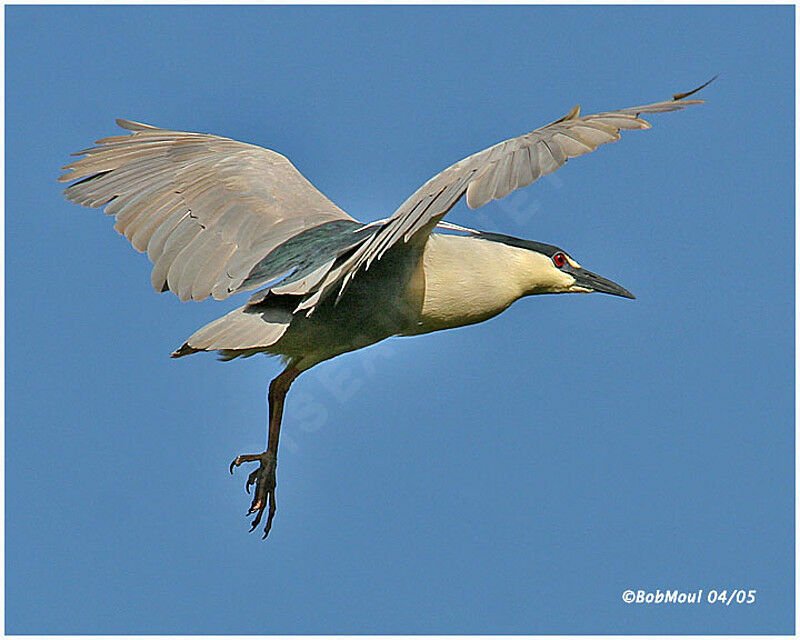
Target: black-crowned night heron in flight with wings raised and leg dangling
{"type": "Point", "coordinates": [218, 217]}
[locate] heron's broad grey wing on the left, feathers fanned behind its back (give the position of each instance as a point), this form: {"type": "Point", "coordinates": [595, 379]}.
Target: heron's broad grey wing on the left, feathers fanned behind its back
{"type": "Point", "coordinates": [206, 209]}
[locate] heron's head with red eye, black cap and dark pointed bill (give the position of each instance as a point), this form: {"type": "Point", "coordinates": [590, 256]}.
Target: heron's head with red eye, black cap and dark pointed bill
{"type": "Point", "coordinates": [550, 269]}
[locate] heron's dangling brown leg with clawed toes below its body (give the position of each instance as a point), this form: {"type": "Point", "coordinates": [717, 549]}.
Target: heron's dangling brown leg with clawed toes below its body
{"type": "Point", "coordinates": [264, 477]}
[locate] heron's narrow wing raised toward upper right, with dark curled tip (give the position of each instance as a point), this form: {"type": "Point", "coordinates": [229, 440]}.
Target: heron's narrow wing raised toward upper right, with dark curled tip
{"type": "Point", "coordinates": [492, 174]}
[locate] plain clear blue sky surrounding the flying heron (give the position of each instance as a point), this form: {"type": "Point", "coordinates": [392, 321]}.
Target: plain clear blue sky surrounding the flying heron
{"type": "Point", "coordinates": [511, 477]}
